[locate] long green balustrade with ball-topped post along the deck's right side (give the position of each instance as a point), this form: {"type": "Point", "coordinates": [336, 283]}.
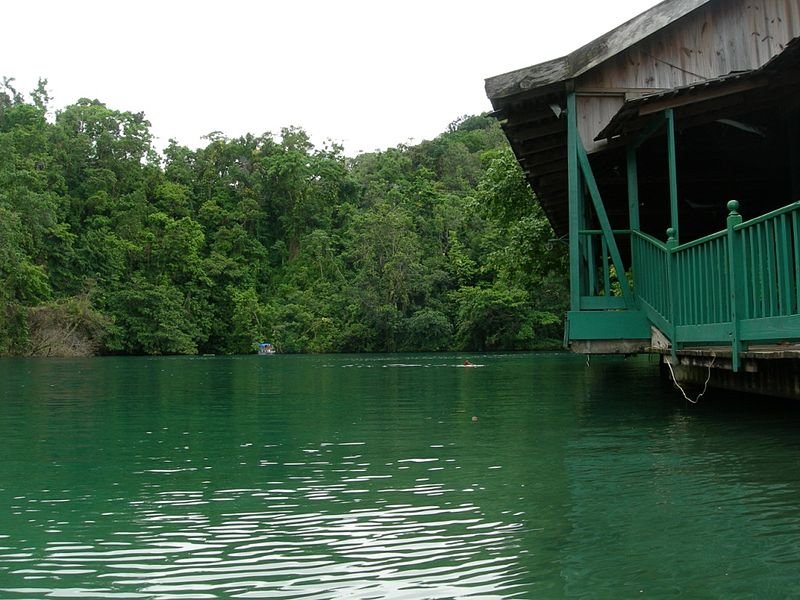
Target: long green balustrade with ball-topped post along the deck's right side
{"type": "Point", "coordinates": [735, 287]}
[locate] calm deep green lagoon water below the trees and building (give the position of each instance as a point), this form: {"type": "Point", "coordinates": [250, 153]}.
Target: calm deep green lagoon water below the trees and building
{"type": "Point", "coordinates": [367, 477]}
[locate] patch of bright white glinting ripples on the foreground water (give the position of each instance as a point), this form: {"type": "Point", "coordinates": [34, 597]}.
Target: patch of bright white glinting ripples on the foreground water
{"type": "Point", "coordinates": [432, 549]}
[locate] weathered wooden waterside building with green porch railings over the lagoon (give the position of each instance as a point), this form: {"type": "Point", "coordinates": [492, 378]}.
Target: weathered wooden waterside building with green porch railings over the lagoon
{"type": "Point", "coordinates": [668, 150]}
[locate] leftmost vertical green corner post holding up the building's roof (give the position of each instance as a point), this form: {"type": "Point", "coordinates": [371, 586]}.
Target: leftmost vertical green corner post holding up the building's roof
{"type": "Point", "coordinates": [573, 181]}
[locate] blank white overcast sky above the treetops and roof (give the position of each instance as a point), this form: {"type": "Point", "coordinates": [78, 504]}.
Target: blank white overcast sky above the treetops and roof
{"type": "Point", "coordinates": [367, 74]}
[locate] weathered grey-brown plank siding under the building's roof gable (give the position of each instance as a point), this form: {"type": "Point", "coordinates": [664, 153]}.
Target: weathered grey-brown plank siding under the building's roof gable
{"type": "Point", "coordinates": [714, 40]}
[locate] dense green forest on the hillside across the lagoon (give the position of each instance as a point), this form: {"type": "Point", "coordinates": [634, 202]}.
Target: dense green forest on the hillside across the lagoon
{"type": "Point", "coordinates": [108, 246]}
